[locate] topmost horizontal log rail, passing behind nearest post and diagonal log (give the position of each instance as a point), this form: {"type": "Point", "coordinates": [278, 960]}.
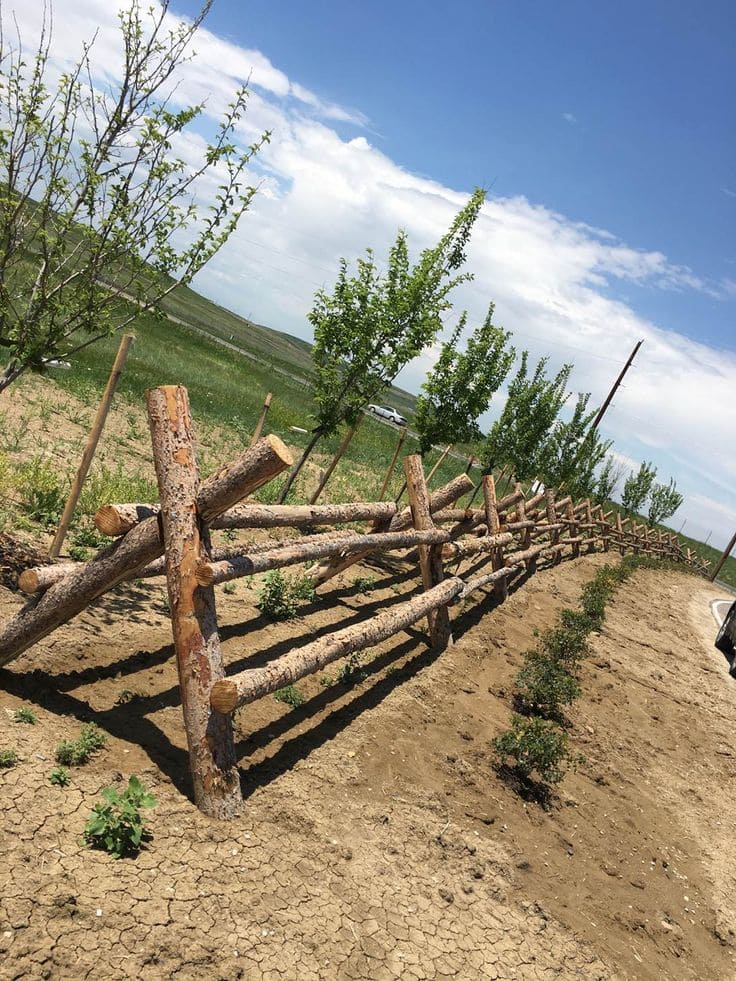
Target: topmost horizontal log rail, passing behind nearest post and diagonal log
{"type": "Point", "coordinates": [118, 519]}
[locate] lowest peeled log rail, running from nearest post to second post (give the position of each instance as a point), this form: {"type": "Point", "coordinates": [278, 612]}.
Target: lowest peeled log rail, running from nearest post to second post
{"type": "Point", "coordinates": [247, 686]}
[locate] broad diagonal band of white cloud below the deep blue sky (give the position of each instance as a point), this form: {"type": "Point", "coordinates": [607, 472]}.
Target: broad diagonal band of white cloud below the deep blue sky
{"type": "Point", "coordinates": [324, 196]}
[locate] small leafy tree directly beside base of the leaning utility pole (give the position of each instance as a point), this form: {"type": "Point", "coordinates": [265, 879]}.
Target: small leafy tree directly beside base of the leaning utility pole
{"type": "Point", "coordinates": [574, 451]}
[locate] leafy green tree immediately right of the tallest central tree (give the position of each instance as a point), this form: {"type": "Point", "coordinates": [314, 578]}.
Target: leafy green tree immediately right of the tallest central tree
{"type": "Point", "coordinates": [460, 385]}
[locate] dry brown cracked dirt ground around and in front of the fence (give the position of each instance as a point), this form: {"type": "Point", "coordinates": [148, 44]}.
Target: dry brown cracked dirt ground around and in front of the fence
{"type": "Point", "coordinates": [377, 841]}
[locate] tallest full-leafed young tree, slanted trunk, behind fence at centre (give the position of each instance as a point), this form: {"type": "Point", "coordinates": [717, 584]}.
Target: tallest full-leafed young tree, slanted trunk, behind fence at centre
{"type": "Point", "coordinates": [373, 323]}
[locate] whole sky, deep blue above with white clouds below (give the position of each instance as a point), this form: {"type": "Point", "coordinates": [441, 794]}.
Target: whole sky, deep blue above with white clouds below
{"type": "Point", "coordinates": [603, 132]}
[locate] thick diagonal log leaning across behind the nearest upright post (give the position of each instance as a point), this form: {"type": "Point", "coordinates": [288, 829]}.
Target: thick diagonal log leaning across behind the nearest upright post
{"type": "Point", "coordinates": [65, 599]}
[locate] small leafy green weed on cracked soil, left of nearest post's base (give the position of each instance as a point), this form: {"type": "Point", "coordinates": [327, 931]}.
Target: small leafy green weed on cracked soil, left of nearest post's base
{"type": "Point", "coordinates": [117, 826]}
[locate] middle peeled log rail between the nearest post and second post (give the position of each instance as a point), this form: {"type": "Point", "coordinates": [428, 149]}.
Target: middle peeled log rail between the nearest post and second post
{"type": "Point", "coordinates": [212, 573]}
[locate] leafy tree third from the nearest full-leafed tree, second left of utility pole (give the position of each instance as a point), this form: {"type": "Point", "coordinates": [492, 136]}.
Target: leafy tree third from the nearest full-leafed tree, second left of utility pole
{"type": "Point", "coordinates": [519, 436]}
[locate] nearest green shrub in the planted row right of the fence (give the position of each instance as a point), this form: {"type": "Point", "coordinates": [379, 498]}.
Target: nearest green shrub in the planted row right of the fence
{"type": "Point", "coordinates": [534, 745]}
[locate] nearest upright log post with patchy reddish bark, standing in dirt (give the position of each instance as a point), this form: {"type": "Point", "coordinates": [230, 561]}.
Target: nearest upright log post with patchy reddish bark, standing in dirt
{"type": "Point", "coordinates": [193, 615]}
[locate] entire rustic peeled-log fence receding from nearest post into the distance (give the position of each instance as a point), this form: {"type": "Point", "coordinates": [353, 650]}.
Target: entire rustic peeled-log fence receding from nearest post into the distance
{"type": "Point", "coordinates": [172, 538]}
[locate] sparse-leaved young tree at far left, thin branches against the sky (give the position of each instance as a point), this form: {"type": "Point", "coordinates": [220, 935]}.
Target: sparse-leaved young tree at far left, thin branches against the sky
{"type": "Point", "coordinates": [99, 217]}
